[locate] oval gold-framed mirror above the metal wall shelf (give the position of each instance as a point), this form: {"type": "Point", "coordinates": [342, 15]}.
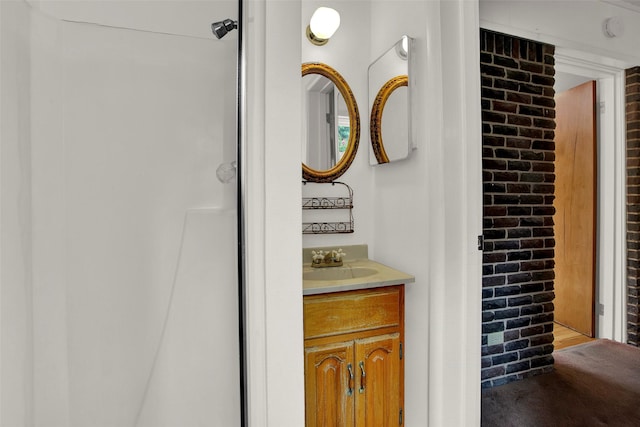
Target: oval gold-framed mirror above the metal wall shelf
{"type": "Point", "coordinates": [330, 147]}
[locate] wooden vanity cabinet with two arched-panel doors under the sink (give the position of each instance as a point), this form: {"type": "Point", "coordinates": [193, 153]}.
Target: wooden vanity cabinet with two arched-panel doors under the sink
{"type": "Point", "coordinates": [354, 367]}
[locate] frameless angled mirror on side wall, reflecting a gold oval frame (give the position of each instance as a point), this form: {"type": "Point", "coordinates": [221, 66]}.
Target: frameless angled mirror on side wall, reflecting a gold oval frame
{"type": "Point", "coordinates": [390, 104]}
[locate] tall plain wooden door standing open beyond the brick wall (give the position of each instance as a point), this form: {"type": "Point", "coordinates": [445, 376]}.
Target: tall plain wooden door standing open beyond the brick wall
{"type": "Point", "coordinates": [575, 203]}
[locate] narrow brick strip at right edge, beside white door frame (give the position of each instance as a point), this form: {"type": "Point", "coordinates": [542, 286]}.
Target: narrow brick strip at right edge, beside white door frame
{"type": "Point", "coordinates": [633, 203]}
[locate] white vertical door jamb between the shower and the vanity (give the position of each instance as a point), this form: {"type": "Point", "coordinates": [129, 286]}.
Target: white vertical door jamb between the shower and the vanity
{"type": "Point", "coordinates": [273, 214]}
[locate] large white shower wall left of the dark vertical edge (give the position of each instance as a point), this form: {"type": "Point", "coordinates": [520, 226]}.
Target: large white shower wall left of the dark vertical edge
{"type": "Point", "coordinates": [125, 225]}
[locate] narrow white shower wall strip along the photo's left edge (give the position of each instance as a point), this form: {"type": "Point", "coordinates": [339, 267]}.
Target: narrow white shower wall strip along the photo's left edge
{"type": "Point", "coordinates": [16, 356]}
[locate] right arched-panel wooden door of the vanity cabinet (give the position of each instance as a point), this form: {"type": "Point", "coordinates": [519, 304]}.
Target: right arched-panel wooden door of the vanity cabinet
{"type": "Point", "coordinates": [378, 381]}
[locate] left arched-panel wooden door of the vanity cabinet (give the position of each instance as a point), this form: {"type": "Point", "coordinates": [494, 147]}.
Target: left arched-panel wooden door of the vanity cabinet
{"type": "Point", "coordinates": [330, 385]}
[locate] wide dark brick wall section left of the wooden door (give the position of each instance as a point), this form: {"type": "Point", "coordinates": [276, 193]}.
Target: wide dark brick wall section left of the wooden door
{"type": "Point", "coordinates": [518, 176]}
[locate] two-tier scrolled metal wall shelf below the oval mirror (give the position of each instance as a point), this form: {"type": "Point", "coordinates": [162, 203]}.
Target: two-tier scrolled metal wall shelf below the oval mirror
{"type": "Point", "coordinates": [329, 202]}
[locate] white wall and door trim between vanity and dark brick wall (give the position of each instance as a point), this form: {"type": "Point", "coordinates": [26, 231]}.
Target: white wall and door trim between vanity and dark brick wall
{"type": "Point", "coordinates": [428, 209]}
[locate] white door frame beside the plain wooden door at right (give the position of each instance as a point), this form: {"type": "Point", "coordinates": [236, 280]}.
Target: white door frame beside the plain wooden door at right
{"type": "Point", "coordinates": [573, 69]}
